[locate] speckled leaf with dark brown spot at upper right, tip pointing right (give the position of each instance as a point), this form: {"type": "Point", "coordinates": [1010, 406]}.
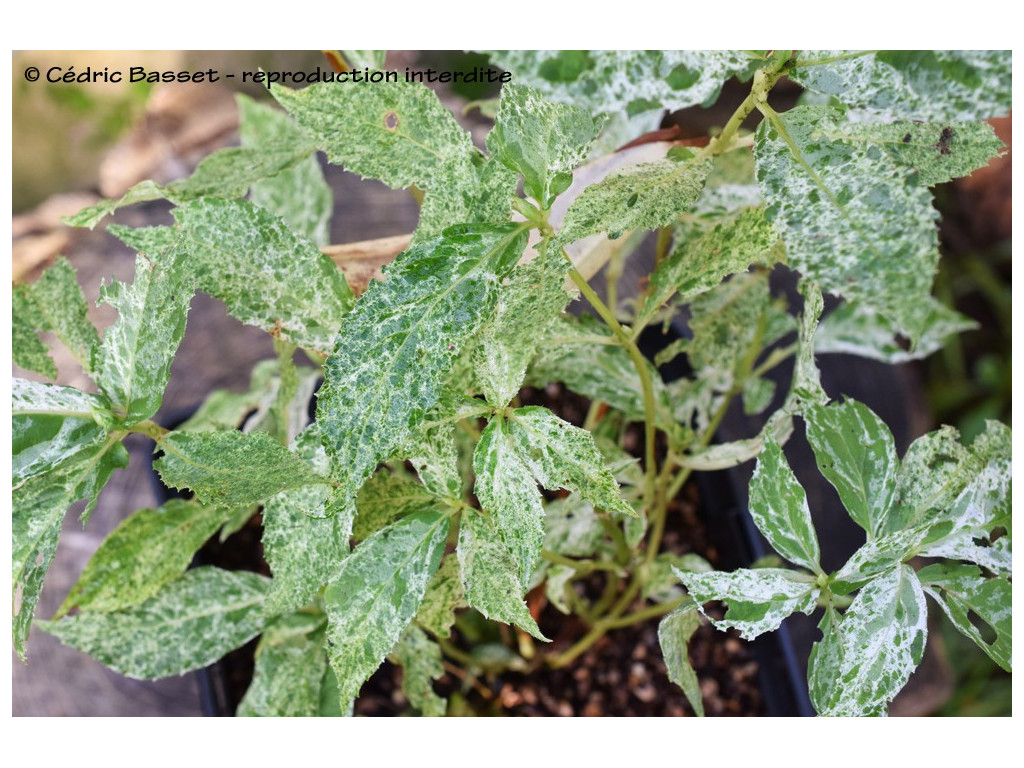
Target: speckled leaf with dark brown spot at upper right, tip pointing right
{"type": "Point", "coordinates": [938, 152]}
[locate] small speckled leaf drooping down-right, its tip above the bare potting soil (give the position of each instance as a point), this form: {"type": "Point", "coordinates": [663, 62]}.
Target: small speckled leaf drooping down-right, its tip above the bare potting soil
{"type": "Point", "coordinates": [490, 575]}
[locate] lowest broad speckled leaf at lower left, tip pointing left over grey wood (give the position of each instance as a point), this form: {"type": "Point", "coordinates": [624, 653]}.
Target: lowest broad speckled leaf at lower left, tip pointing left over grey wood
{"type": "Point", "coordinates": [191, 623]}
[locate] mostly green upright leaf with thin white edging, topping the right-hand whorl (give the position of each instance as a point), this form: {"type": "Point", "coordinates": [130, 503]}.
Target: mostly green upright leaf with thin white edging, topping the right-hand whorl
{"type": "Point", "coordinates": [856, 452]}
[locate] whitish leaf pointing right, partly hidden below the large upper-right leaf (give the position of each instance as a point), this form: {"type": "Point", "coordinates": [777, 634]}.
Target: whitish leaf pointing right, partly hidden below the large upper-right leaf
{"type": "Point", "coordinates": [857, 329]}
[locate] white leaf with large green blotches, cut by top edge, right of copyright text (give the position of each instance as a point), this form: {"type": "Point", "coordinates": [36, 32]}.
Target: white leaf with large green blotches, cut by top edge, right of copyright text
{"type": "Point", "coordinates": [610, 81]}
